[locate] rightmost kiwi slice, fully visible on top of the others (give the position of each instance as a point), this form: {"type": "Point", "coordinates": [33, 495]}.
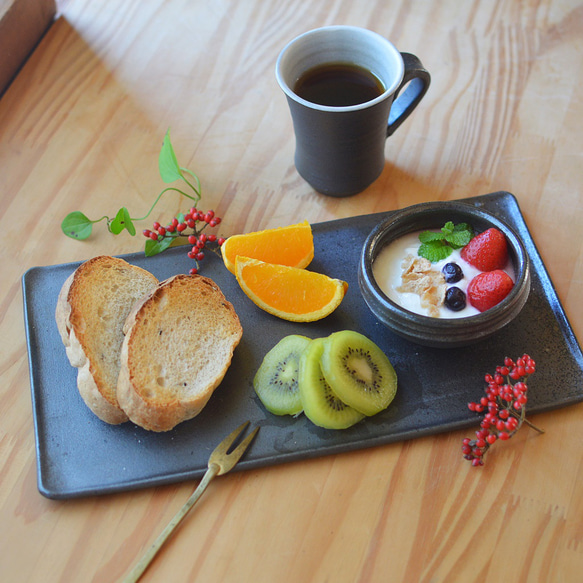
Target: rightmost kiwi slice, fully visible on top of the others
{"type": "Point", "coordinates": [359, 371]}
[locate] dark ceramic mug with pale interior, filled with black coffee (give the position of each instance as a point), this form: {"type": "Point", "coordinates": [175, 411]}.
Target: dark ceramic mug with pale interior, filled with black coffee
{"type": "Point", "coordinates": [340, 144]}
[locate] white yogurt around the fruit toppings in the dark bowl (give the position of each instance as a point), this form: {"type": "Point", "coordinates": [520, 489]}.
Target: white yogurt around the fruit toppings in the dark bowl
{"type": "Point", "coordinates": [387, 272]}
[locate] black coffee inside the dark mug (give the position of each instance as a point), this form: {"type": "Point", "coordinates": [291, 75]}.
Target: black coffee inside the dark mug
{"type": "Point", "coordinates": [338, 85]}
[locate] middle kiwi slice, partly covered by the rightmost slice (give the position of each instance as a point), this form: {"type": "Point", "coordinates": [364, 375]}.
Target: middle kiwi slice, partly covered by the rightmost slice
{"type": "Point", "coordinates": [321, 406]}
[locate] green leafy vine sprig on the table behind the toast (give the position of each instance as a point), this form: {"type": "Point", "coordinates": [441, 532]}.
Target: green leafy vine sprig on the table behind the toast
{"type": "Point", "coordinates": [77, 225]}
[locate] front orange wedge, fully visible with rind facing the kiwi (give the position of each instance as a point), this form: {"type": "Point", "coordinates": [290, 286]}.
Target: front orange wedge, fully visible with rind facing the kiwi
{"type": "Point", "coordinates": [288, 292]}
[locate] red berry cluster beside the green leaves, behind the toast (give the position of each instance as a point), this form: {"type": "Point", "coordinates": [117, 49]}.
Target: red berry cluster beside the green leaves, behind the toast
{"type": "Point", "coordinates": [197, 221]}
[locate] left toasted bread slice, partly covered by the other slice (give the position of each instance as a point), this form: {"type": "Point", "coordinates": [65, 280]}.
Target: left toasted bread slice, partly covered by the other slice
{"type": "Point", "coordinates": [92, 307]}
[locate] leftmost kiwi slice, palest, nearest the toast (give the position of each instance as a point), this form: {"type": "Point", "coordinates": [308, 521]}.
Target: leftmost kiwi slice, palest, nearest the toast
{"type": "Point", "coordinates": [276, 381]}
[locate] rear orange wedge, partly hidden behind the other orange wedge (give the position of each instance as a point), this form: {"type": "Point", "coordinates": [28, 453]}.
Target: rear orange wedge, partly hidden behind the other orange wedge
{"type": "Point", "coordinates": [292, 245]}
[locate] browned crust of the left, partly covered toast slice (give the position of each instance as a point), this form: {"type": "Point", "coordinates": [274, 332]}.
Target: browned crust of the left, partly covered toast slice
{"type": "Point", "coordinates": [71, 323]}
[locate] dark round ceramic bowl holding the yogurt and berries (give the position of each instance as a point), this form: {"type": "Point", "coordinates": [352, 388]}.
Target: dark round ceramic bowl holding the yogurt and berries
{"type": "Point", "coordinates": [441, 332]}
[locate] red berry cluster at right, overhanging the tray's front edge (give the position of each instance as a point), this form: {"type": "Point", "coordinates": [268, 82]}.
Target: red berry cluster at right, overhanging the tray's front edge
{"type": "Point", "coordinates": [505, 406]}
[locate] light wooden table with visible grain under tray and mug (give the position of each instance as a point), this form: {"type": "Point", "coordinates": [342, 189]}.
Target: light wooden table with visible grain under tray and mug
{"type": "Point", "coordinates": [80, 129]}
